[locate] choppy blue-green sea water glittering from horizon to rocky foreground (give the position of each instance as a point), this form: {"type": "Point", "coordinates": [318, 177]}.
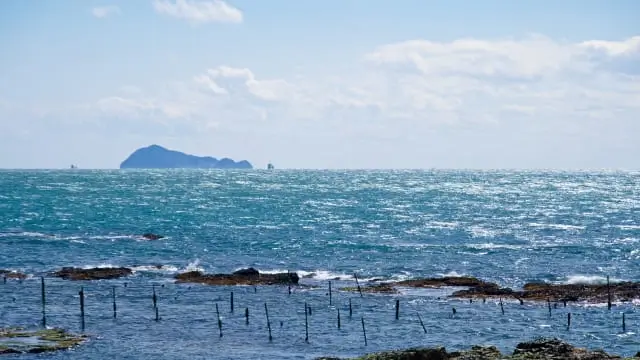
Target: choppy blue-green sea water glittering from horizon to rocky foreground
{"type": "Point", "coordinates": [510, 227]}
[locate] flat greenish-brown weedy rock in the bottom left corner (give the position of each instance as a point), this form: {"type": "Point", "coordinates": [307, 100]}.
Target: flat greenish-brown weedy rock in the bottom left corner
{"type": "Point", "coordinates": [17, 341]}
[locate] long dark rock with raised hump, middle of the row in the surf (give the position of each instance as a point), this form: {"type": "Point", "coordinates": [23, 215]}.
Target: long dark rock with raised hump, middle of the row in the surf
{"type": "Point", "coordinates": [248, 276]}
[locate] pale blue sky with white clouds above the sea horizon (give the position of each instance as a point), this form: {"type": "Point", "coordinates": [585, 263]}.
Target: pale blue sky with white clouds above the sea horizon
{"type": "Point", "coordinates": [333, 84]}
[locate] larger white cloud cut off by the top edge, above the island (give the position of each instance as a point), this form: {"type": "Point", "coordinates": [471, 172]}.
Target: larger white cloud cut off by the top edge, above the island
{"type": "Point", "coordinates": [199, 11]}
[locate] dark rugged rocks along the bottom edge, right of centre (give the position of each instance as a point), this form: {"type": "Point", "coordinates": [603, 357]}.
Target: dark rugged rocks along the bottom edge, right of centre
{"type": "Point", "coordinates": [540, 349]}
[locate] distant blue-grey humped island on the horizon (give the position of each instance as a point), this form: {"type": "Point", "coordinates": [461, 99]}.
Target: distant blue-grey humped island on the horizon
{"type": "Point", "coordinates": [158, 157]}
